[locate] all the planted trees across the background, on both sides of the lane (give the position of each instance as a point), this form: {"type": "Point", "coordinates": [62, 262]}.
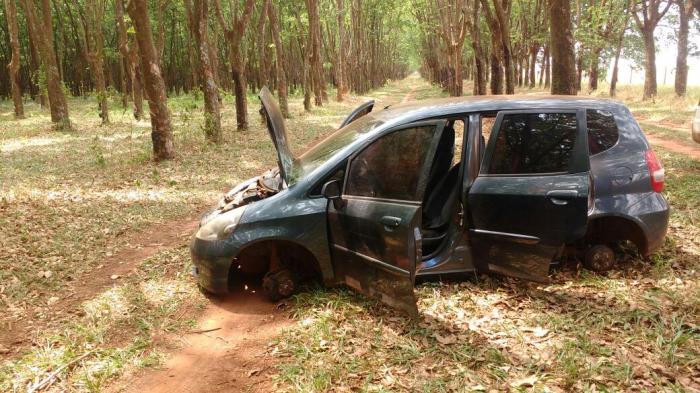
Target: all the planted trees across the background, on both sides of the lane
{"type": "Point", "coordinates": [149, 49]}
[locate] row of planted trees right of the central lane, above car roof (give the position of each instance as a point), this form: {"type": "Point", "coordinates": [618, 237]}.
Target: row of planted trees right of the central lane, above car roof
{"type": "Point", "coordinates": [501, 44]}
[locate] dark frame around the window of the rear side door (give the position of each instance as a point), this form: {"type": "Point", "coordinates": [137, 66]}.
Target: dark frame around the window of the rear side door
{"type": "Point", "coordinates": [579, 160]}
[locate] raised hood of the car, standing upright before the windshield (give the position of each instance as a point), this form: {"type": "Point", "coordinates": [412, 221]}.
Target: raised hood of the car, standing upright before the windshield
{"type": "Point", "coordinates": [278, 132]}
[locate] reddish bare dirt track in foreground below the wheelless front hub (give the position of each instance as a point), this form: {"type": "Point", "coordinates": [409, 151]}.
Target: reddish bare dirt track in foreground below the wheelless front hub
{"type": "Point", "coordinates": [232, 358]}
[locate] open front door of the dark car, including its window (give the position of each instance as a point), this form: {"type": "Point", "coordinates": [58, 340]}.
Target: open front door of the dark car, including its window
{"type": "Point", "coordinates": [375, 225]}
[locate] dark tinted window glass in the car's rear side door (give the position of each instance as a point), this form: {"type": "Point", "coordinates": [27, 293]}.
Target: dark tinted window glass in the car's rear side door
{"type": "Point", "coordinates": [529, 143]}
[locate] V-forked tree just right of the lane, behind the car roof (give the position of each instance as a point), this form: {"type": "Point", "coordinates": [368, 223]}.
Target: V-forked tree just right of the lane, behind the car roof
{"type": "Point", "coordinates": [453, 21]}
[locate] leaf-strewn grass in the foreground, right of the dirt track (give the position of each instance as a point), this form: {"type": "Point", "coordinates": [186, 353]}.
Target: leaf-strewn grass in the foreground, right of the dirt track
{"type": "Point", "coordinates": [635, 328]}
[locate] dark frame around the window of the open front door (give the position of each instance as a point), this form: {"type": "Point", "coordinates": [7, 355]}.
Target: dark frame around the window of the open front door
{"type": "Point", "coordinates": [438, 126]}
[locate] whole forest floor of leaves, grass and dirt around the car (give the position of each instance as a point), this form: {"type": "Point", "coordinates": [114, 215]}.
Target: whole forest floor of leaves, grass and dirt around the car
{"type": "Point", "coordinates": [96, 291]}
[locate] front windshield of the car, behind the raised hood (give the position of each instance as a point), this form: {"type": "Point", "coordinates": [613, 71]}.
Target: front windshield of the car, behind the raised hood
{"type": "Point", "coordinates": [328, 147]}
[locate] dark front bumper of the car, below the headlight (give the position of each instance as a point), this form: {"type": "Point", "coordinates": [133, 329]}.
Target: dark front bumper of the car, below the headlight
{"type": "Point", "coordinates": [212, 262]}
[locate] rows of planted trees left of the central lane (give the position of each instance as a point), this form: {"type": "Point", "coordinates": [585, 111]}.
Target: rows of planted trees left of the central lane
{"type": "Point", "coordinates": [144, 49]}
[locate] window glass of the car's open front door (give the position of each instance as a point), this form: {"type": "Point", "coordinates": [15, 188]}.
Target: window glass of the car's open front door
{"type": "Point", "coordinates": [390, 167]}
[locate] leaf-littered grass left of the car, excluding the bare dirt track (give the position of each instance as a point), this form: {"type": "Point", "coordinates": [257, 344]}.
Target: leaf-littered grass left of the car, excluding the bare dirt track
{"type": "Point", "coordinates": [71, 199]}
